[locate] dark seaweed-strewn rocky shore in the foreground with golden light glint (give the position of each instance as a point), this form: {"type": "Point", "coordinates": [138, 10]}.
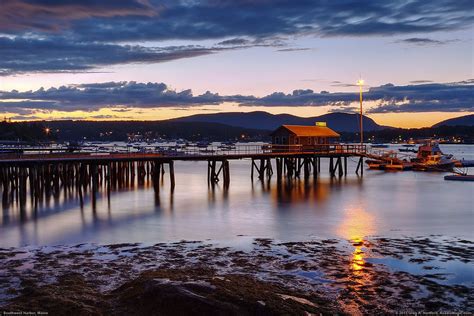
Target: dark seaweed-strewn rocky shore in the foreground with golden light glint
{"type": "Point", "coordinates": [377, 275]}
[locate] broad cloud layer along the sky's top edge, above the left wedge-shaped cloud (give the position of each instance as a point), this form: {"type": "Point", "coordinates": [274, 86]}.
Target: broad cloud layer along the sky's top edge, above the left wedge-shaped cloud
{"type": "Point", "coordinates": [174, 19]}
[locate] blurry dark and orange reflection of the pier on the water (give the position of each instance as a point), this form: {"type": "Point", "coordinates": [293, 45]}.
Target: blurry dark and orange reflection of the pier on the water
{"type": "Point", "coordinates": [102, 198]}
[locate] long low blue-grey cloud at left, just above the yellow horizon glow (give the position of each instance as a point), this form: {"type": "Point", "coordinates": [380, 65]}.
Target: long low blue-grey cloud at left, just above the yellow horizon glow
{"type": "Point", "coordinates": [91, 97]}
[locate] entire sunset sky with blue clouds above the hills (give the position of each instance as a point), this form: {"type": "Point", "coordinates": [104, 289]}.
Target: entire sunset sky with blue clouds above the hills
{"type": "Point", "coordinates": [160, 59]}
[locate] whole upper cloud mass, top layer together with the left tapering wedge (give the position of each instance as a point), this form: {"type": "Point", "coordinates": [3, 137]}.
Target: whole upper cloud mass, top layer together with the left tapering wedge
{"type": "Point", "coordinates": [73, 35]}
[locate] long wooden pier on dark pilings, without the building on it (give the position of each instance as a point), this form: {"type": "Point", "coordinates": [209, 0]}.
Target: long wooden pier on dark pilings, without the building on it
{"type": "Point", "coordinates": [40, 176]}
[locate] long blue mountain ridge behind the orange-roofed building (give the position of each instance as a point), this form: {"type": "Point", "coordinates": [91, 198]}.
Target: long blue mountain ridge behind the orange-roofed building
{"type": "Point", "coordinates": [341, 122]}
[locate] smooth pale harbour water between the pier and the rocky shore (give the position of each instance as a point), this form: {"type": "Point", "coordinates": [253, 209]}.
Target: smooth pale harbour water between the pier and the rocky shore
{"type": "Point", "coordinates": [380, 203]}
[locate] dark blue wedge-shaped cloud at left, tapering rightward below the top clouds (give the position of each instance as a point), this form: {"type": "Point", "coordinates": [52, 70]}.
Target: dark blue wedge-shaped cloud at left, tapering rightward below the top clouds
{"type": "Point", "coordinates": [61, 56]}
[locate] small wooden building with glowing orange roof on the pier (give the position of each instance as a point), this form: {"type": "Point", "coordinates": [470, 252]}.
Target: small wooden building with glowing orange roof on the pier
{"type": "Point", "coordinates": [318, 134]}
